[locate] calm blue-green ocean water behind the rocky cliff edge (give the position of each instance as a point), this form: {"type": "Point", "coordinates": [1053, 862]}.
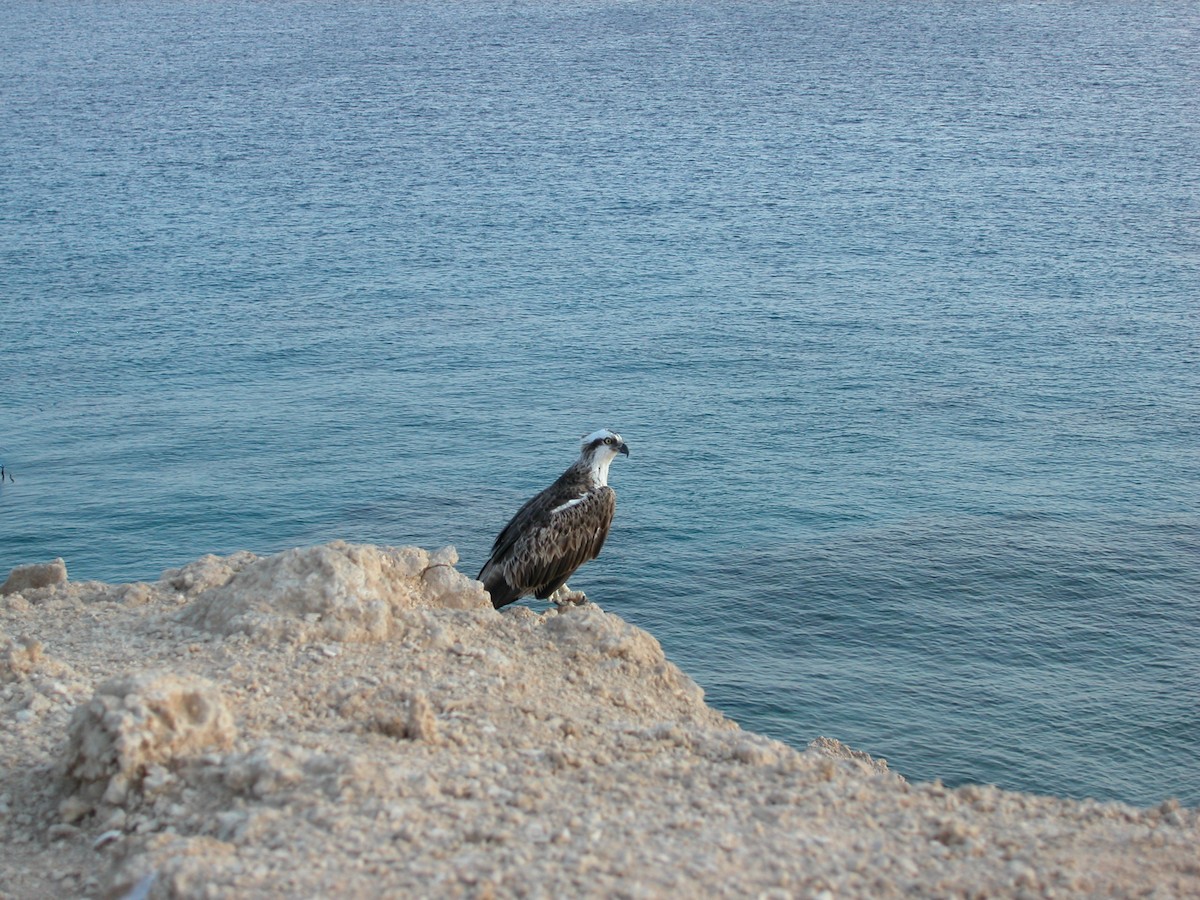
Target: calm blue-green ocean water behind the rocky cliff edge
{"type": "Point", "coordinates": [897, 304]}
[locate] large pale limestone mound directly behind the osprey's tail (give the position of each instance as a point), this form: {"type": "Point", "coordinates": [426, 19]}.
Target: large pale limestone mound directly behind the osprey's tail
{"type": "Point", "coordinates": [334, 592]}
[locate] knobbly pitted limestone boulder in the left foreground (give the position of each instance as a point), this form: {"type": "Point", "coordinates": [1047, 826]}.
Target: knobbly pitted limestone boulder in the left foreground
{"type": "Point", "coordinates": [133, 724]}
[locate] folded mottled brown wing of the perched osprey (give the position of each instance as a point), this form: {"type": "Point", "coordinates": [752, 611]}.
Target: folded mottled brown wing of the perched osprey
{"type": "Point", "coordinates": [545, 556]}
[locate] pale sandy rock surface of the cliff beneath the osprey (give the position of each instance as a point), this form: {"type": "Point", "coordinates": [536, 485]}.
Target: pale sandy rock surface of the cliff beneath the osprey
{"type": "Point", "coordinates": [358, 722]}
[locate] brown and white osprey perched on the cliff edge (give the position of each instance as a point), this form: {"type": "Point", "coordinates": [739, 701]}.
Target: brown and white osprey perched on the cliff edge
{"type": "Point", "coordinates": [559, 531]}
